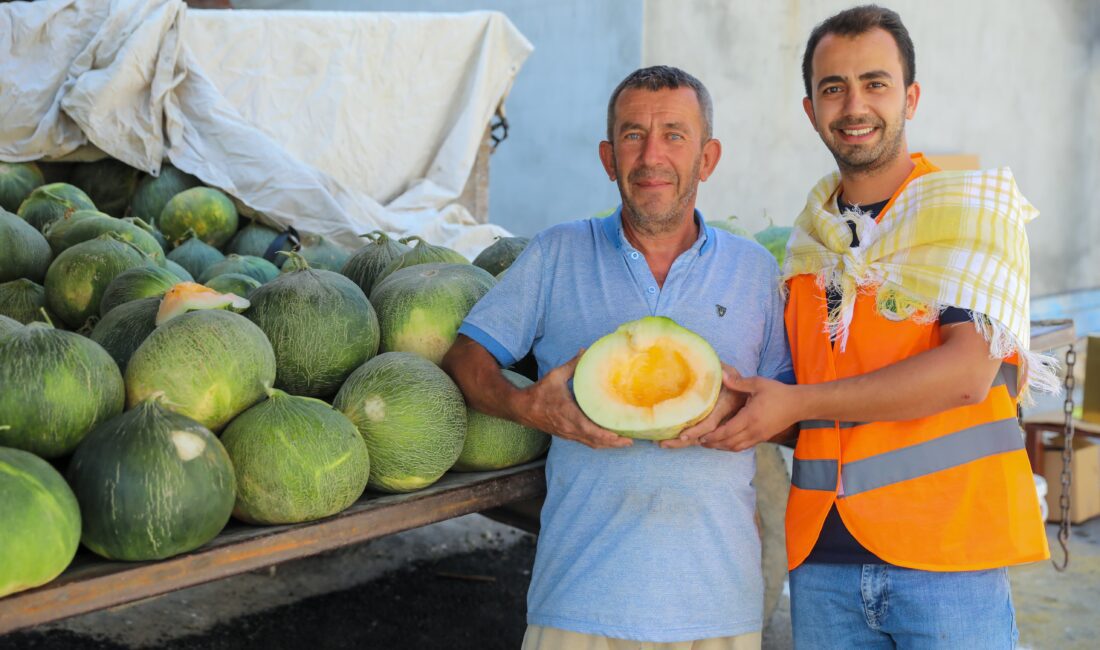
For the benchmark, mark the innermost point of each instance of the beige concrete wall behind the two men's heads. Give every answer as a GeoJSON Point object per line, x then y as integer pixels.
{"type": "Point", "coordinates": [1016, 82]}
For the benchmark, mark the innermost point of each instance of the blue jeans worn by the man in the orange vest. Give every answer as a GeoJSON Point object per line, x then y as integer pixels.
{"type": "Point", "coordinates": [885, 607]}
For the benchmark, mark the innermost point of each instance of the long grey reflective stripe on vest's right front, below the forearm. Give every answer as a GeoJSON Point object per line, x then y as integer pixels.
{"type": "Point", "coordinates": [934, 456]}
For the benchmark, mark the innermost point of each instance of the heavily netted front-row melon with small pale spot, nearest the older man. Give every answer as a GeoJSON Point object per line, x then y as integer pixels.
{"type": "Point", "coordinates": [412, 416]}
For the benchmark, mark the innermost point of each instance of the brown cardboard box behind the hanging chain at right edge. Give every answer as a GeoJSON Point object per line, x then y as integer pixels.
{"type": "Point", "coordinates": [1085, 484]}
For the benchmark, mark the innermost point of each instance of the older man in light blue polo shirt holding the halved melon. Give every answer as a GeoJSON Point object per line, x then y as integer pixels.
{"type": "Point", "coordinates": [640, 542]}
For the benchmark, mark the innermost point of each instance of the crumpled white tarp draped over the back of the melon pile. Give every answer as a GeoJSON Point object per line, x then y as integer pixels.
{"type": "Point", "coordinates": [335, 123]}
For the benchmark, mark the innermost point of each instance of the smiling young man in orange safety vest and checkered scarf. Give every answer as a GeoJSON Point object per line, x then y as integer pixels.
{"type": "Point", "coordinates": [908, 318]}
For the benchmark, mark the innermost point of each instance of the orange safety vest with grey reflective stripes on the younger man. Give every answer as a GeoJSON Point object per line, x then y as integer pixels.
{"type": "Point", "coordinates": [950, 492]}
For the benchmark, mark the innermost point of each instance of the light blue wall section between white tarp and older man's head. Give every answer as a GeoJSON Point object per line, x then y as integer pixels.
{"type": "Point", "coordinates": [548, 170]}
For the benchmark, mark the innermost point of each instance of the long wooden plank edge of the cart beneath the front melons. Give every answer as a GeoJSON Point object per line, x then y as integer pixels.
{"type": "Point", "coordinates": [91, 585]}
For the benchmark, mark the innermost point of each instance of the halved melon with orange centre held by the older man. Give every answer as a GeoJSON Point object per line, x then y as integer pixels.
{"type": "Point", "coordinates": [651, 380]}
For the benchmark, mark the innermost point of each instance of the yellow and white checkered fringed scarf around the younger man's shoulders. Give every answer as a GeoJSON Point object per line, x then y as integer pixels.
{"type": "Point", "coordinates": [951, 239]}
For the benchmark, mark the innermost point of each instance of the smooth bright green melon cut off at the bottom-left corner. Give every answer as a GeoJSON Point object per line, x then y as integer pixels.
{"type": "Point", "coordinates": [41, 522]}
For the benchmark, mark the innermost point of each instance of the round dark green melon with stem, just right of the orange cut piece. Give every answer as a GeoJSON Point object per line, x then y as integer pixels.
{"type": "Point", "coordinates": [320, 324]}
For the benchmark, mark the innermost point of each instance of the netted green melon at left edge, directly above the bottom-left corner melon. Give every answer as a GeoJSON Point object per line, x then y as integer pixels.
{"type": "Point", "coordinates": [54, 388]}
